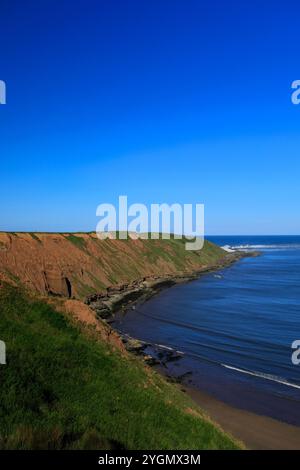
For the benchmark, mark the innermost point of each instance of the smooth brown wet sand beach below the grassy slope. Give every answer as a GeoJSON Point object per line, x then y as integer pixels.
{"type": "Point", "coordinates": [255, 431]}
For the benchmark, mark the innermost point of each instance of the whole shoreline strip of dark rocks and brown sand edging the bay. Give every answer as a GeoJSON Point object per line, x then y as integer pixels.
{"type": "Point", "coordinates": [243, 425]}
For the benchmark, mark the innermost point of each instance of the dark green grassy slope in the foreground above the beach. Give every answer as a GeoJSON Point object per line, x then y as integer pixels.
{"type": "Point", "coordinates": [62, 388]}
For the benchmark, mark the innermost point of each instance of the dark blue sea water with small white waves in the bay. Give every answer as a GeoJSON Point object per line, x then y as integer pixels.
{"type": "Point", "coordinates": [234, 327]}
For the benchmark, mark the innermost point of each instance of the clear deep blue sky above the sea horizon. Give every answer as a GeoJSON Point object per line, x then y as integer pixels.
{"type": "Point", "coordinates": [165, 101]}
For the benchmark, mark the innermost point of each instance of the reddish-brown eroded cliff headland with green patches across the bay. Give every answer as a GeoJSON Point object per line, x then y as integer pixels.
{"type": "Point", "coordinates": [76, 265]}
